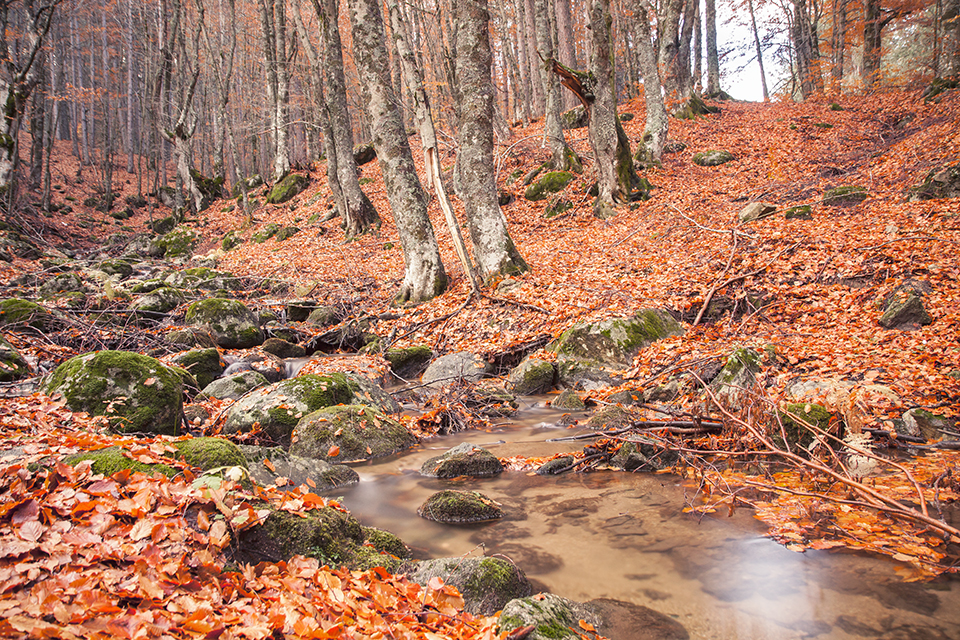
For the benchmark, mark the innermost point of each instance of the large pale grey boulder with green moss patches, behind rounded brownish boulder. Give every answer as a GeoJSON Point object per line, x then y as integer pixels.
{"type": "Point", "coordinates": [280, 406]}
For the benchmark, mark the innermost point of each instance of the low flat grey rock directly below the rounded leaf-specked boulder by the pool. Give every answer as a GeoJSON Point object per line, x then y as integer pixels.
{"type": "Point", "coordinates": [267, 464]}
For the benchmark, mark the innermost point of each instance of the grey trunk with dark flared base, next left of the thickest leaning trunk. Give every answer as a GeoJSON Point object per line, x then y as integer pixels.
{"type": "Point", "coordinates": [357, 212]}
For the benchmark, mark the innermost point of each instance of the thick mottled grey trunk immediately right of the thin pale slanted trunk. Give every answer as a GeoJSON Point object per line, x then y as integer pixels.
{"type": "Point", "coordinates": [494, 250]}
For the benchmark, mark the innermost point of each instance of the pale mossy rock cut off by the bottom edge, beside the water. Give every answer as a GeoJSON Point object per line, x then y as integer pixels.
{"type": "Point", "coordinates": [553, 617]}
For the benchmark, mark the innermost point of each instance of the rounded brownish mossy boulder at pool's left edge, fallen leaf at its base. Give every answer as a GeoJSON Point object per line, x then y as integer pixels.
{"type": "Point", "coordinates": [347, 433]}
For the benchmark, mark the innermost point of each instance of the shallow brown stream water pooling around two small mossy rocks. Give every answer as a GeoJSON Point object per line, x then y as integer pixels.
{"type": "Point", "coordinates": [619, 535]}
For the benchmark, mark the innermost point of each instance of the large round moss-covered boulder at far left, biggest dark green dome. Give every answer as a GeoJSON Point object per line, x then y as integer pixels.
{"type": "Point", "coordinates": [136, 393]}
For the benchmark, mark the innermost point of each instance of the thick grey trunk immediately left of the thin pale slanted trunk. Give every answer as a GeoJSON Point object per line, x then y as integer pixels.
{"type": "Point", "coordinates": [424, 277]}
